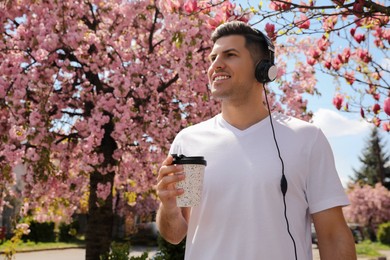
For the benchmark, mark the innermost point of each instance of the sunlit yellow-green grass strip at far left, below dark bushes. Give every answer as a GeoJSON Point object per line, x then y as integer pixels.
{"type": "Point", "coordinates": [32, 246]}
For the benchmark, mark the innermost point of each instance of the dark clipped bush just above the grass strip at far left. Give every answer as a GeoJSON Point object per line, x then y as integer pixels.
{"type": "Point", "coordinates": [40, 232]}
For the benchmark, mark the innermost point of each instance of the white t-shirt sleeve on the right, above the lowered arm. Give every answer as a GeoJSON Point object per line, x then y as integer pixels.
{"type": "Point", "coordinates": [324, 188]}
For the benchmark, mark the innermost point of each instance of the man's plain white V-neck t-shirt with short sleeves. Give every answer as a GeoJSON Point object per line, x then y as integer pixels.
{"type": "Point", "coordinates": [241, 215]}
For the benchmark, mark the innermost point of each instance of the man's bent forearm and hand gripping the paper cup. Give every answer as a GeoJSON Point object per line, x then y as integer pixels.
{"type": "Point", "coordinates": [171, 220]}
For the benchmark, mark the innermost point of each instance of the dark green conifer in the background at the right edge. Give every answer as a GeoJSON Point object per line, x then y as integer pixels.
{"type": "Point", "coordinates": [375, 163]}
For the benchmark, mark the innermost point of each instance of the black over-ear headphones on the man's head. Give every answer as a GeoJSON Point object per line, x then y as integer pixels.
{"type": "Point", "coordinates": [266, 70]}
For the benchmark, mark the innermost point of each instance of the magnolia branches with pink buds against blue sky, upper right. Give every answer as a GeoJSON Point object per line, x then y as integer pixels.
{"type": "Point", "coordinates": [349, 40]}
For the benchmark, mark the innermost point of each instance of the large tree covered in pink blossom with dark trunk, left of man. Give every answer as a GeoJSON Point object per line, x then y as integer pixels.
{"type": "Point", "coordinates": [91, 95]}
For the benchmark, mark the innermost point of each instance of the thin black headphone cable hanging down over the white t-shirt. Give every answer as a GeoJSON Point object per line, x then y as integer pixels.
{"type": "Point", "coordinates": [283, 181]}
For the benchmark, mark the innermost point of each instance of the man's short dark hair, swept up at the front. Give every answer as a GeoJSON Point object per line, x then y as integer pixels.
{"type": "Point", "coordinates": [255, 41]}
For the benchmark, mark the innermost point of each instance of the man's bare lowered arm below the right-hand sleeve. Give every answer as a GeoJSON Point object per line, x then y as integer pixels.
{"type": "Point", "coordinates": [335, 239]}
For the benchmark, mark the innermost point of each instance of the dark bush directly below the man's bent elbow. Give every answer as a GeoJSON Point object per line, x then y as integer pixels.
{"type": "Point", "coordinates": [167, 251]}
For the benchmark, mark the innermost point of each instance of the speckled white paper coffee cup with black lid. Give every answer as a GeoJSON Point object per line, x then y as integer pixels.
{"type": "Point", "coordinates": [192, 185]}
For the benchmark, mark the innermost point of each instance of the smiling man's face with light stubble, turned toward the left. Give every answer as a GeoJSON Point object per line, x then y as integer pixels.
{"type": "Point", "coordinates": [231, 73]}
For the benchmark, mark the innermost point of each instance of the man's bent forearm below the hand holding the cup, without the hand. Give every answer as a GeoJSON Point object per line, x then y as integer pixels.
{"type": "Point", "coordinates": [171, 224]}
